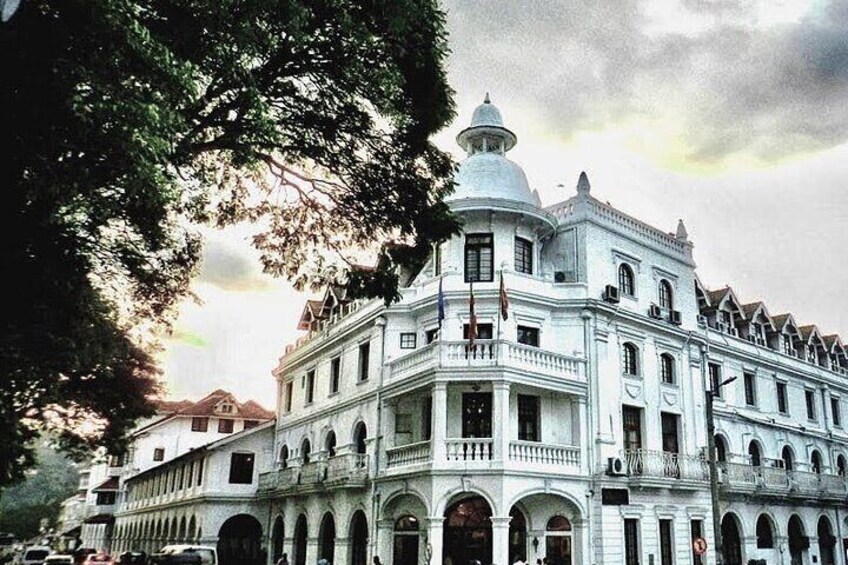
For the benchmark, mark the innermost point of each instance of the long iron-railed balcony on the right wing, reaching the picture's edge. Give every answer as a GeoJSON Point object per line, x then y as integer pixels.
{"type": "Point", "coordinates": [780, 483]}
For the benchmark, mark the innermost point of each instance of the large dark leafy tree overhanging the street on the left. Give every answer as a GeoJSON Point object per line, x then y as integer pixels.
{"type": "Point", "coordinates": [130, 121]}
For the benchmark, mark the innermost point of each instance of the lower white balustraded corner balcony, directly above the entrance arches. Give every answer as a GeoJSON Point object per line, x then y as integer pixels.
{"type": "Point", "coordinates": [463, 453]}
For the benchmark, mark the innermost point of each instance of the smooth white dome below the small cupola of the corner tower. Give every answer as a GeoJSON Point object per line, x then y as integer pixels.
{"type": "Point", "coordinates": [490, 175]}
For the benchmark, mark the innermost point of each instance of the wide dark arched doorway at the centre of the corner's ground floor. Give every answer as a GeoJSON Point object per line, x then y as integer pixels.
{"type": "Point", "coordinates": [468, 532]}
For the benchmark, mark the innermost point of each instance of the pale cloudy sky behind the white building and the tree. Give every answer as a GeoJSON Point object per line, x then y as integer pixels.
{"type": "Point", "coordinates": [729, 114]}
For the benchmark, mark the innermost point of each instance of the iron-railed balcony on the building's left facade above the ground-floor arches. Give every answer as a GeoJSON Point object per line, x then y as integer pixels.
{"type": "Point", "coordinates": [342, 471]}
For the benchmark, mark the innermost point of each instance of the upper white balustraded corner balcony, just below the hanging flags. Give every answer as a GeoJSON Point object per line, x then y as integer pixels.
{"type": "Point", "coordinates": [486, 353]}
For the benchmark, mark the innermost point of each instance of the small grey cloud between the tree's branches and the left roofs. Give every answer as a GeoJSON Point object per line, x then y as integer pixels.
{"type": "Point", "coordinates": [230, 269]}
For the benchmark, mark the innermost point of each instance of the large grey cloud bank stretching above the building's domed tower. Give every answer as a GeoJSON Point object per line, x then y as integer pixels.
{"type": "Point", "coordinates": [768, 91]}
